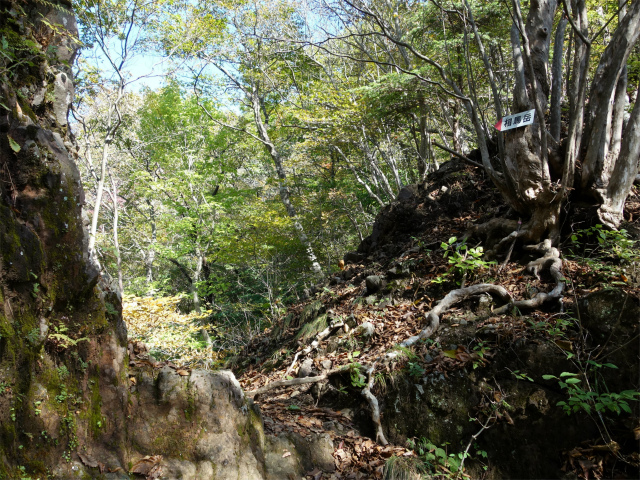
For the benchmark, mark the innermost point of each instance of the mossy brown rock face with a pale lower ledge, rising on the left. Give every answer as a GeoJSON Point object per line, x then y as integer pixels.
{"type": "Point", "coordinates": [70, 406]}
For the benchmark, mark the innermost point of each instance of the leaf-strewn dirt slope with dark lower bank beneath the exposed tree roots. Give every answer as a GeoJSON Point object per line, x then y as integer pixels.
{"type": "Point", "coordinates": [478, 365]}
